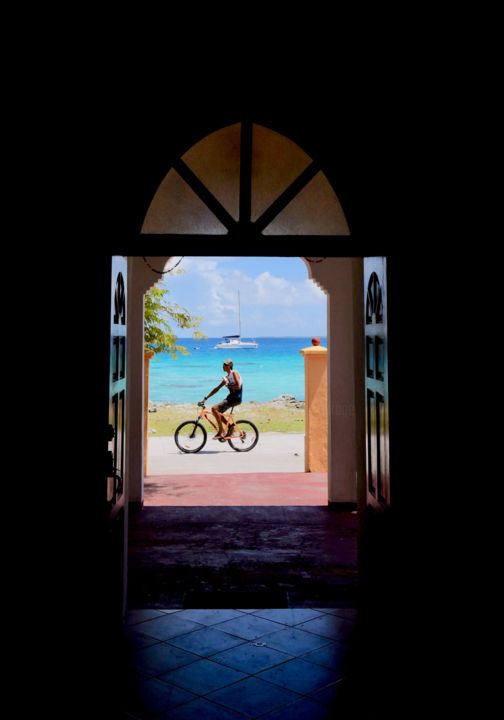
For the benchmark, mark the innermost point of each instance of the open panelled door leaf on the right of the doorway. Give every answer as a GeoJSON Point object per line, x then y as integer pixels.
{"type": "Point", "coordinates": [376, 368]}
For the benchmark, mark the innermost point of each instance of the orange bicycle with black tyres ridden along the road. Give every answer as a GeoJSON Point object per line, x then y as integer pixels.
{"type": "Point", "coordinates": [191, 435]}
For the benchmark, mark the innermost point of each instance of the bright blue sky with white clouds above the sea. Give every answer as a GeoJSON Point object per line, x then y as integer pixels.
{"type": "Point", "coordinates": [277, 297]}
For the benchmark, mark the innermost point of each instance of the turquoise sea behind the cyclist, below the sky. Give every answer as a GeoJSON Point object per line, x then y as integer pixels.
{"type": "Point", "coordinates": [275, 368]}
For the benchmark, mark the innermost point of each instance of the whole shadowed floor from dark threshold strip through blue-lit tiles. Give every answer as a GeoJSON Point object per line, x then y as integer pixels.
{"type": "Point", "coordinates": [294, 658]}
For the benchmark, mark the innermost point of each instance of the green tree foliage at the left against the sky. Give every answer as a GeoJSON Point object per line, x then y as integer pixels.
{"type": "Point", "coordinates": [160, 315]}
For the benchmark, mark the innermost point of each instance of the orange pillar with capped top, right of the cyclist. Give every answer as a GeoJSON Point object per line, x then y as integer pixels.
{"type": "Point", "coordinates": [315, 408]}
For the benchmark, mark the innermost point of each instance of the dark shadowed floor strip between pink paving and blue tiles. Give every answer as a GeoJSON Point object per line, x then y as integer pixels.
{"type": "Point", "coordinates": [182, 557]}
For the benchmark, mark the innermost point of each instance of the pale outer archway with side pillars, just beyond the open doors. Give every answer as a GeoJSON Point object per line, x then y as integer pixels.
{"type": "Point", "coordinates": [341, 278]}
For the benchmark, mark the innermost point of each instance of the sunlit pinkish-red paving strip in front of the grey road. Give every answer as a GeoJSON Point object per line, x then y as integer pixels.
{"type": "Point", "coordinates": [254, 489]}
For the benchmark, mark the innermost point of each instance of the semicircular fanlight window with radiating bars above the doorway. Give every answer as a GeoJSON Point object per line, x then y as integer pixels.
{"type": "Point", "coordinates": [245, 180]}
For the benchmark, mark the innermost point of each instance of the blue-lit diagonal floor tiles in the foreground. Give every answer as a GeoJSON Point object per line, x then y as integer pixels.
{"type": "Point", "coordinates": [277, 664]}
